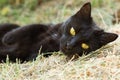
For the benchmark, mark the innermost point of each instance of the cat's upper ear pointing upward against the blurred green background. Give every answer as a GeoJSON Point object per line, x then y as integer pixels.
{"type": "Point", "coordinates": [85, 12]}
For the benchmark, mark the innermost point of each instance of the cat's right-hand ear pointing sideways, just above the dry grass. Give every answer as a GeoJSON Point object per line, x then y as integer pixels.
{"type": "Point", "coordinates": [107, 37]}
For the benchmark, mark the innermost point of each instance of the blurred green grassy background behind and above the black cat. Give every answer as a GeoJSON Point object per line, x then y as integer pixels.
{"type": "Point", "coordinates": [53, 11]}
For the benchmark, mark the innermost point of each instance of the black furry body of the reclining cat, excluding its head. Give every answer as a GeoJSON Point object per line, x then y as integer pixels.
{"type": "Point", "coordinates": [27, 41]}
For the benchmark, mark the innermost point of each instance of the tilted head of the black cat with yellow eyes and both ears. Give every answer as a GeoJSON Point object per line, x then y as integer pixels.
{"type": "Point", "coordinates": [81, 35]}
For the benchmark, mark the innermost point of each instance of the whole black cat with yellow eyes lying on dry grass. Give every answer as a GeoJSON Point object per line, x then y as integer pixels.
{"type": "Point", "coordinates": [78, 35]}
